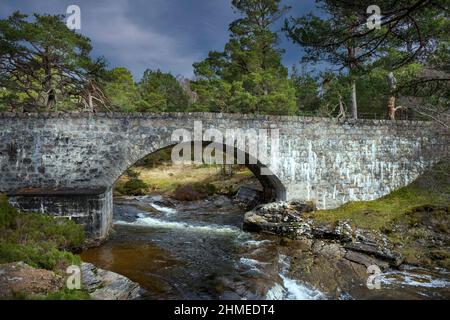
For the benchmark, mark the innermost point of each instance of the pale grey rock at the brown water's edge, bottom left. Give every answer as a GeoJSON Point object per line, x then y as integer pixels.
{"type": "Point", "coordinates": [106, 285]}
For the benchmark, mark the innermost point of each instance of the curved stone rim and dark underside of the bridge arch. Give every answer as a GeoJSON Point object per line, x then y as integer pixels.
{"type": "Point", "coordinates": [273, 188]}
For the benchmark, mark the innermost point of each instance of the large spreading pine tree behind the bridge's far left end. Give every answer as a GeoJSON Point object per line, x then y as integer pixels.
{"type": "Point", "coordinates": [44, 66]}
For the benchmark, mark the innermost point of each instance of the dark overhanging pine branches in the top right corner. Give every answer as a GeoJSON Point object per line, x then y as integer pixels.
{"type": "Point", "coordinates": [340, 28]}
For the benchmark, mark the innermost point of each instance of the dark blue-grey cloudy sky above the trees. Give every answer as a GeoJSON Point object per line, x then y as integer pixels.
{"type": "Point", "coordinates": [165, 34]}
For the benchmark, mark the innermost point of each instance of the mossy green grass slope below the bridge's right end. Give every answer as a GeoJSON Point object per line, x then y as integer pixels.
{"type": "Point", "coordinates": [415, 219]}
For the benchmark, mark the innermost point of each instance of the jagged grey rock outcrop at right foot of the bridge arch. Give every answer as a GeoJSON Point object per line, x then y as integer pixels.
{"type": "Point", "coordinates": [287, 219]}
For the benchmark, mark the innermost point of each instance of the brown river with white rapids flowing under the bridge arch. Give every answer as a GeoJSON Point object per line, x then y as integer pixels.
{"type": "Point", "coordinates": [197, 250]}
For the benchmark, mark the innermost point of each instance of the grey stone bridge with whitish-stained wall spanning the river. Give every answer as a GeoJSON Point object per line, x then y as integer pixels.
{"type": "Point", "coordinates": [66, 164]}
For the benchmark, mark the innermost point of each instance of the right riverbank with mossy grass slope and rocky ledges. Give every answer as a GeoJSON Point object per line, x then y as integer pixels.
{"type": "Point", "coordinates": [403, 231]}
